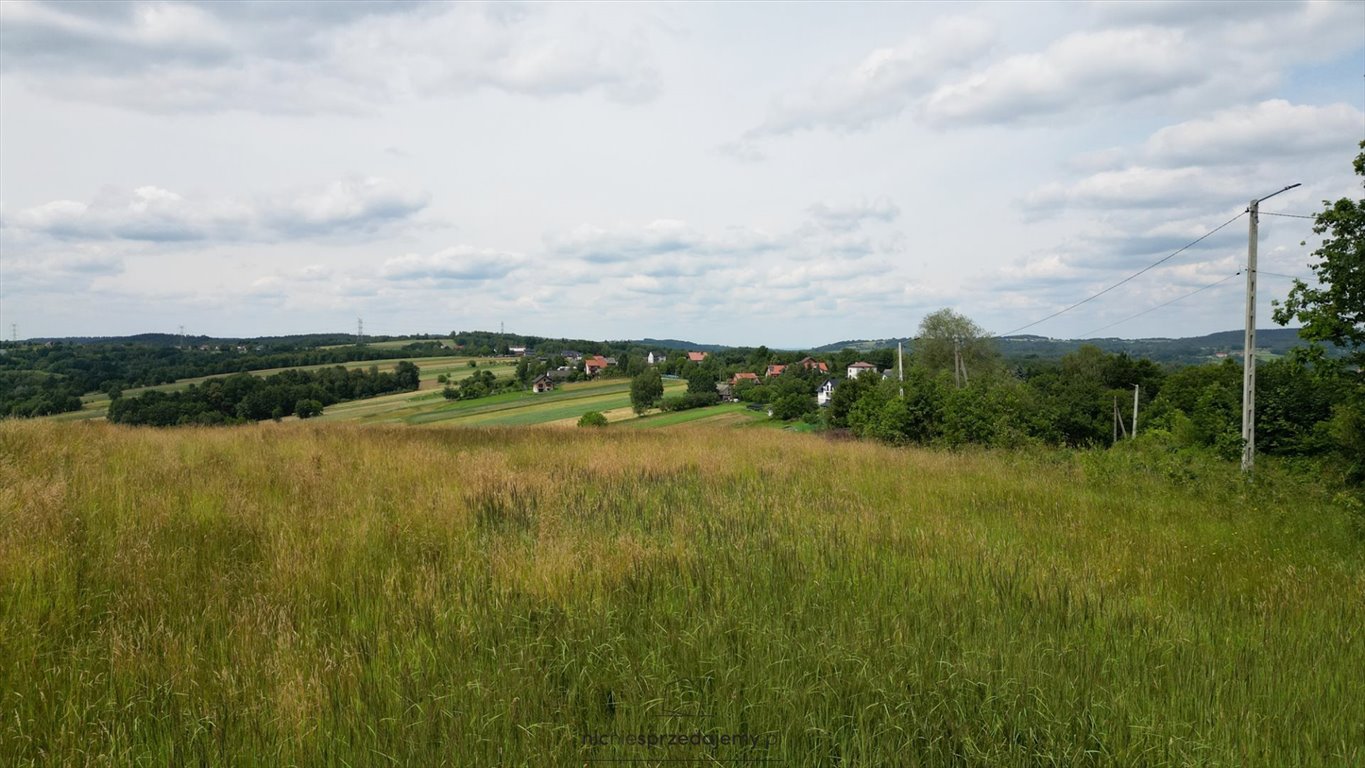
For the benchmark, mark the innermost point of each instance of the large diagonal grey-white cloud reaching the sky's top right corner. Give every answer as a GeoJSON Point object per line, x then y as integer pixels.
{"type": "Point", "coordinates": [1142, 54]}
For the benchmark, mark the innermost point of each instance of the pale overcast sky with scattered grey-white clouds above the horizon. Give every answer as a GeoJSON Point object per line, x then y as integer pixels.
{"type": "Point", "coordinates": [738, 174]}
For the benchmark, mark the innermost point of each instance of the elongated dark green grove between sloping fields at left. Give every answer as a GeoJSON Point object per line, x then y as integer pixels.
{"type": "Point", "coordinates": [244, 398]}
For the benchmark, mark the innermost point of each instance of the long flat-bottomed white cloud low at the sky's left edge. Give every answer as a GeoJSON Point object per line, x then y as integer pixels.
{"type": "Point", "coordinates": [162, 216]}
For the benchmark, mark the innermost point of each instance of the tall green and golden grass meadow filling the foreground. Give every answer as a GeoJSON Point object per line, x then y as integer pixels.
{"type": "Point", "coordinates": [377, 595]}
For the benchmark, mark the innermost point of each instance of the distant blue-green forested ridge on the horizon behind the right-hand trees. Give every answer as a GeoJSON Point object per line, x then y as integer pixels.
{"type": "Point", "coordinates": [1191, 350]}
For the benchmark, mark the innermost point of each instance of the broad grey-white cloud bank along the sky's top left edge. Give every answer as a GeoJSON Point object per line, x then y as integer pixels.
{"type": "Point", "coordinates": [308, 58]}
